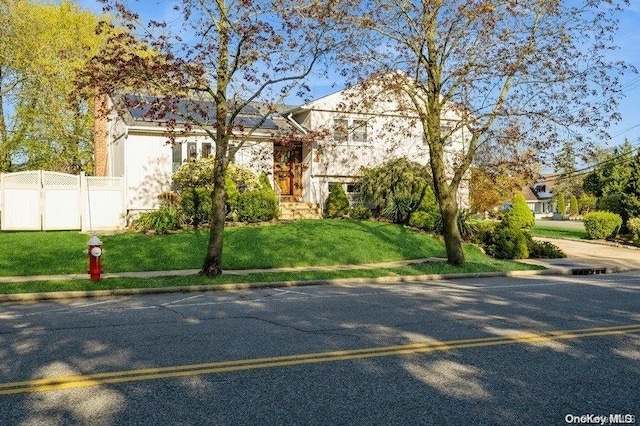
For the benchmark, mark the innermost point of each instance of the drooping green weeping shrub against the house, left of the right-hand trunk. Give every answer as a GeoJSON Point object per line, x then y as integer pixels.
{"type": "Point", "coordinates": [396, 188]}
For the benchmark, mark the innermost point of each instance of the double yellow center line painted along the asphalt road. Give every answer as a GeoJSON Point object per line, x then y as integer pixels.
{"type": "Point", "coordinates": [97, 379]}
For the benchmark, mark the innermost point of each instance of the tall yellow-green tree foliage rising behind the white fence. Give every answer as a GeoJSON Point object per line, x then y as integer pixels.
{"type": "Point", "coordinates": [42, 46]}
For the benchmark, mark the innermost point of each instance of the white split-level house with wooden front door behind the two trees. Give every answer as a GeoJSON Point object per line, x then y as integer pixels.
{"type": "Point", "coordinates": [136, 147]}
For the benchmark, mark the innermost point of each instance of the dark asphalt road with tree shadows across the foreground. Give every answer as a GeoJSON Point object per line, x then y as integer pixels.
{"type": "Point", "coordinates": [538, 350]}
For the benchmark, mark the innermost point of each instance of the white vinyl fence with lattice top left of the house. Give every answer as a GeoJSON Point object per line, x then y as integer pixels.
{"type": "Point", "coordinates": [40, 200]}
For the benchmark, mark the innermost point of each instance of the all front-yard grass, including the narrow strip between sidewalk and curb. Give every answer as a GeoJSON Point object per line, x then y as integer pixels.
{"type": "Point", "coordinates": [299, 243]}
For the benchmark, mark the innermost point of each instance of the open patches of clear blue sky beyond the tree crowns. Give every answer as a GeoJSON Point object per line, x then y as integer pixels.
{"type": "Point", "coordinates": [628, 40]}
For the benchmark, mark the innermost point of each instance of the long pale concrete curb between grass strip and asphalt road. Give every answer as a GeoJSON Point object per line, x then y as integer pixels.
{"type": "Point", "coordinates": [29, 297]}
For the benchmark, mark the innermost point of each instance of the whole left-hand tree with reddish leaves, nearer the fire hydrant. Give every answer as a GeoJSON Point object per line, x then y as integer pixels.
{"type": "Point", "coordinates": [229, 55]}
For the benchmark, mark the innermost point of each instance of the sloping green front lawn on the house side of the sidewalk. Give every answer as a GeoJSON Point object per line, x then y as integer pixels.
{"type": "Point", "coordinates": [298, 243]}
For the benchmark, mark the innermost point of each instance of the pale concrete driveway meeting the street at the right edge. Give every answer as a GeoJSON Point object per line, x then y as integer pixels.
{"type": "Point", "coordinates": [582, 254]}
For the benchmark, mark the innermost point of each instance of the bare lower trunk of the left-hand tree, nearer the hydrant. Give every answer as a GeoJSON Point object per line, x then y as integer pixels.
{"type": "Point", "coordinates": [213, 260]}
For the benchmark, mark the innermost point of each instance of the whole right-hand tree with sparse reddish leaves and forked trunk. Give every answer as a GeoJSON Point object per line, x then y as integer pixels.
{"type": "Point", "coordinates": [537, 66]}
